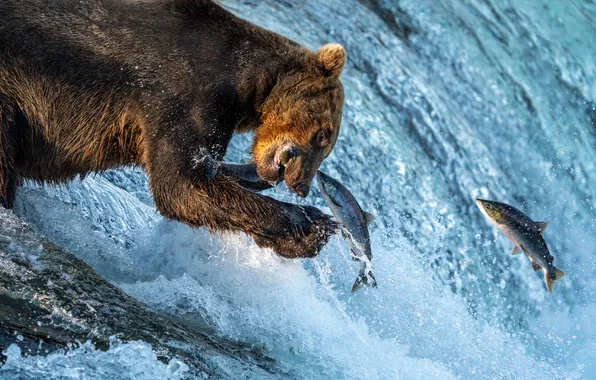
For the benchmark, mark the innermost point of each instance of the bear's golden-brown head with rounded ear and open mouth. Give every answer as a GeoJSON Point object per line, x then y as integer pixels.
{"type": "Point", "coordinates": [300, 120]}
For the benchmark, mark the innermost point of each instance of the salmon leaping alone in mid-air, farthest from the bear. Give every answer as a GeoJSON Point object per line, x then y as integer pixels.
{"type": "Point", "coordinates": [526, 236]}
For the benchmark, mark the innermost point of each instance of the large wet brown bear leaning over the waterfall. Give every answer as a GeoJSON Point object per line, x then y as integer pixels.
{"type": "Point", "coordinates": [86, 86]}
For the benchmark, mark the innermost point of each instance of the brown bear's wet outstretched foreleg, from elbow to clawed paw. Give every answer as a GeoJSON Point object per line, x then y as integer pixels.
{"type": "Point", "coordinates": [222, 205]}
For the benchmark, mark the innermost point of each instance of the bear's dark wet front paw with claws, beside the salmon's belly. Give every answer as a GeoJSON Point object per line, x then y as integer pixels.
{"type": "Point", "coordinates": [303, 236]}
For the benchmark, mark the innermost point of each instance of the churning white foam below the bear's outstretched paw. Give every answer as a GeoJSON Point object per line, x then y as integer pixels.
{"type": "Point", "coordinates": [410, 327]}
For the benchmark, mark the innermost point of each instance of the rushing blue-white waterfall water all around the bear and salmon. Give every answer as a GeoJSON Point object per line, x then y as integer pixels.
{"type": "Point", "coordinates": [446, 101]}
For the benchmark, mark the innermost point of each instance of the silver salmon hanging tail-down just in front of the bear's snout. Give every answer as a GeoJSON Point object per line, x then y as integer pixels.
{"type": "Point", "coordinates": [354, 223]}
